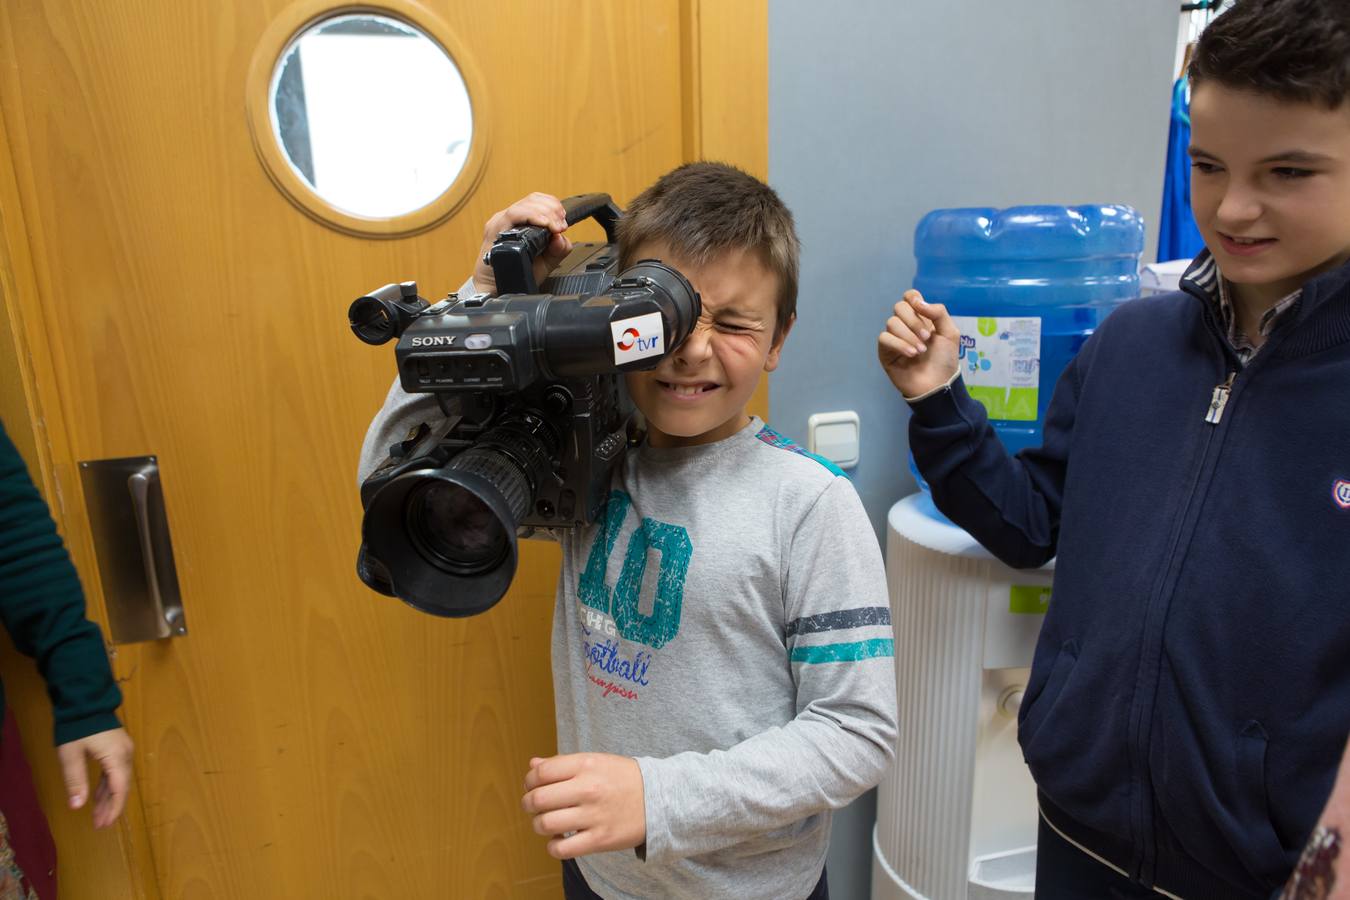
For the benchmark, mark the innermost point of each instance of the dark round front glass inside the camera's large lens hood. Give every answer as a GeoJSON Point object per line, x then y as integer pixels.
{"type": "Point", "coordinates": [456, 530]}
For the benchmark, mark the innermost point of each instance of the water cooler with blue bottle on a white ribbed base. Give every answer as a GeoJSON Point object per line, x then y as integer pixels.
{"type": "Point", "coordinates": [956, 817]}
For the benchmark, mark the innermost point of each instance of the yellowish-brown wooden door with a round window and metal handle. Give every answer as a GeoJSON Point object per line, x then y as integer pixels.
{"type": "Point", "coordinates": [307, 739]}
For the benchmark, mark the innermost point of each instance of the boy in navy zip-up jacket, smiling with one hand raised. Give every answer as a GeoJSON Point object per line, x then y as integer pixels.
{"type": "Point", "coordinates": [1190, 696]}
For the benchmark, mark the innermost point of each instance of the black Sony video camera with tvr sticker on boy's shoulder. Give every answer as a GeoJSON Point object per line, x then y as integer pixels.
{"type": "Point", "coordinates": [535, 412]}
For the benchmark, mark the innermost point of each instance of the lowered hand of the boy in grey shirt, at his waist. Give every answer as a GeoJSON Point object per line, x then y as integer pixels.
{"type": "Point", "coordinates": [587, 804]}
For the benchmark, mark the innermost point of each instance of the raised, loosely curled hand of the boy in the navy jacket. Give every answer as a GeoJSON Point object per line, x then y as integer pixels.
{"type": "Point", "coordinates": [919, 350]}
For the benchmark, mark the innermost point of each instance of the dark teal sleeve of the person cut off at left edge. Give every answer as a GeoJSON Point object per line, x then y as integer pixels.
{"type": "Point", "coordinates": [43, 608]}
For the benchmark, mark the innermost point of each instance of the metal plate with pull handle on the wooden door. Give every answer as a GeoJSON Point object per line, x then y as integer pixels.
{"type": "Point", "coordinates": [130, 528]}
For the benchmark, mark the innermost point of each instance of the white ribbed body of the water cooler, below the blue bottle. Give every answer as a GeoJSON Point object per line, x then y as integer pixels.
{"type": "Point", "coordinates": [956, 817]}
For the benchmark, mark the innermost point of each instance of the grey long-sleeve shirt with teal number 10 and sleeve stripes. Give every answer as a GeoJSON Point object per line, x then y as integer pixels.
{"type": "Point", "coordinates": [728, 627]}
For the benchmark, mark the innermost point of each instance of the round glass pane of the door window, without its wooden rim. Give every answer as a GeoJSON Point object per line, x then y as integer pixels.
{"type": "Point", "coordinates": [372, 114]}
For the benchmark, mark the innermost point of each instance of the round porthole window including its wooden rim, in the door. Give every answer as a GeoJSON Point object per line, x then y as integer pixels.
{"type": "Point", "coordinates": [368, 118]}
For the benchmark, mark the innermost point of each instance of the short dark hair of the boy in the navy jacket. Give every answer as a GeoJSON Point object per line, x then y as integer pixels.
{"type": "Point", "coordinates": [1289, 49]}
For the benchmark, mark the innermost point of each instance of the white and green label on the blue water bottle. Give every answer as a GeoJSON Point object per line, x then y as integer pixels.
{"type": "Point", "coordinates": [1001, 364]}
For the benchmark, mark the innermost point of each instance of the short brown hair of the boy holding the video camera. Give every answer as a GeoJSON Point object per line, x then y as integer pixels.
{"type": "Point", "coordinates": [704, 210]}
